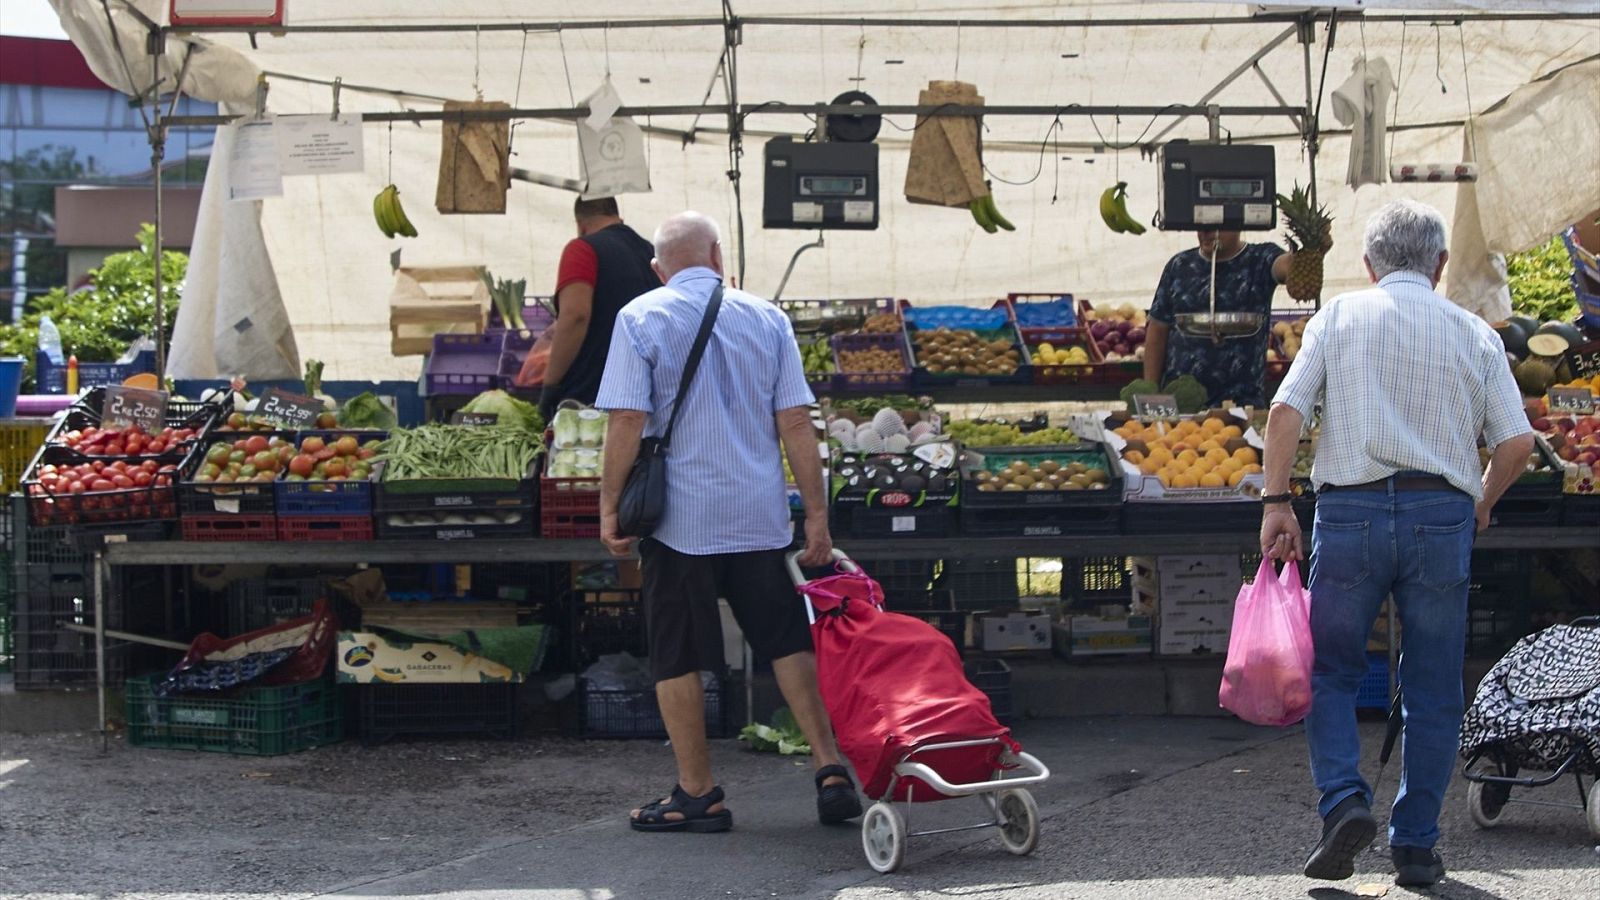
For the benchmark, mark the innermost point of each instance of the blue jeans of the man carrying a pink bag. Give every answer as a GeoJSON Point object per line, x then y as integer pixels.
{"type": "Point", "coordinates": [1418, 548]}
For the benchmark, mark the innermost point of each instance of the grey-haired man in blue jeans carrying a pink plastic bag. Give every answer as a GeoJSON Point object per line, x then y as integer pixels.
{"type": "Point", "coordinates": [1409, 384]}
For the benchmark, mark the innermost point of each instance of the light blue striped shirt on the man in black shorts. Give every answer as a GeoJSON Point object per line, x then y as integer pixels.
{"type": "Point", "coordinates": [726, 475]}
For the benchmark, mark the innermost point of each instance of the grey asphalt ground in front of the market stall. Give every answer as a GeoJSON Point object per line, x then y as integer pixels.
{"type": "Point", "coordinates": [1138, 808]}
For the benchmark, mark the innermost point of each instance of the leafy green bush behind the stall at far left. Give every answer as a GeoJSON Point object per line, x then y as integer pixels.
{"type": "Point", "coordinates": [98, 323]}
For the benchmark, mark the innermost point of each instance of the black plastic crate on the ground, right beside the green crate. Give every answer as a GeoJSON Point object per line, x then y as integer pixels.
{"type": "Point", "coordinates": [394, 710]}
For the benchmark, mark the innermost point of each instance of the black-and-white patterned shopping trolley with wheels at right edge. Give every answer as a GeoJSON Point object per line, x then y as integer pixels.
{"type": "Point", "coordinates": [1538, 710]}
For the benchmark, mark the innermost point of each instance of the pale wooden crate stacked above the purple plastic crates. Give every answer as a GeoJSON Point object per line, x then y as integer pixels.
{"type": "Point", "coordinates": [431, 300]}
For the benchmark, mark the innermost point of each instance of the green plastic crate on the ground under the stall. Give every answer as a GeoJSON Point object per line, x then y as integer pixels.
{"type": "Point", "coordinates": [254, 721]}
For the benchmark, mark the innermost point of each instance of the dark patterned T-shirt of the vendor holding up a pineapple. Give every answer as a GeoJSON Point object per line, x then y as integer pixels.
{"type": "Point", "coordinates": [1236, 369]}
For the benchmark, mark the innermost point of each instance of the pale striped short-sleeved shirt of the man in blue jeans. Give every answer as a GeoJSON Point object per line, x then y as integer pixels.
{"type": "Point", "coordinates": [1407, 382]}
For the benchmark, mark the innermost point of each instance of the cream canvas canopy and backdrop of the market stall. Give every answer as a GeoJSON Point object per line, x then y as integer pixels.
{"type": "Point", "coordinates": [334, 267]}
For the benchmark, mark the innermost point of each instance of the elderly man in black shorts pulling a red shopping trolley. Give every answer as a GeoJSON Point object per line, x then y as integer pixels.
{"type": "Point", "coordinates": [727, 510]}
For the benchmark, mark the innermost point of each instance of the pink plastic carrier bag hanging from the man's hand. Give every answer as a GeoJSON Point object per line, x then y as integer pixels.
{"type": "Point", "coordinates": [1266, 680]}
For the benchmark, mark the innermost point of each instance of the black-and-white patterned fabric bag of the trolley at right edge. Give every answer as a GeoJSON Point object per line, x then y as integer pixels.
{"type": "Point", "coordinates": [1540, 702]}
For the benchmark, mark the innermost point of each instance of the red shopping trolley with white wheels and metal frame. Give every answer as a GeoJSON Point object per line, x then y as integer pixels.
{"type": "Point", "coordinates": [908, 718]}
